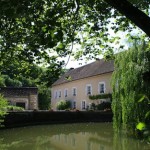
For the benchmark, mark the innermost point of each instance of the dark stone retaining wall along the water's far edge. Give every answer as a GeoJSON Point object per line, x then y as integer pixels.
{"type": "Point", "coordinates": [26, 118]}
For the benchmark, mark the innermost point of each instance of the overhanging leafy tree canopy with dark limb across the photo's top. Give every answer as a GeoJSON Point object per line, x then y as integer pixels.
{"type": "Point", "coordinates": [33, 29]}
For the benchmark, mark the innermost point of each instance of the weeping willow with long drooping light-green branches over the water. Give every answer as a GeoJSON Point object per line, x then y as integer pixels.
{"type": "Point", "coordinates": [131, 88]}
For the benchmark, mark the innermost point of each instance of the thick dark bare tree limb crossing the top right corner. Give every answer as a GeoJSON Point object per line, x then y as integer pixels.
{"type": "Point", "coordinates": [138, 17]}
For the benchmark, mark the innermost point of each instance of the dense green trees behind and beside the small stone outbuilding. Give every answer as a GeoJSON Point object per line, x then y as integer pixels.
{"type": "Point", "coordinates": [24, 74]}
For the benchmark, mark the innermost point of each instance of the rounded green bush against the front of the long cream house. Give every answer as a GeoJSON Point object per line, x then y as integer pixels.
{"type": "Point", "coordinates": [63, 105]}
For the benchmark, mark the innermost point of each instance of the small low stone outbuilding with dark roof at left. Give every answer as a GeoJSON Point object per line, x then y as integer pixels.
{"type": "Point", "coordinates": [26, 97]}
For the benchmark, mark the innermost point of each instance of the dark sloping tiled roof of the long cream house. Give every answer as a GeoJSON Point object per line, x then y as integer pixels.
{"type": "Point", "coordinates": [96, 68]}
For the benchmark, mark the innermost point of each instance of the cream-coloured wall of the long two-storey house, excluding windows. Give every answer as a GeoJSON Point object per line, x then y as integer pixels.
{"type": "Point", "coordinates": [80, 86]}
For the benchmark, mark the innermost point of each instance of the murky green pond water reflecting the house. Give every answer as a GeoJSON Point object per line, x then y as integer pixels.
{"type": "Point", "coordinates": [82, 136]}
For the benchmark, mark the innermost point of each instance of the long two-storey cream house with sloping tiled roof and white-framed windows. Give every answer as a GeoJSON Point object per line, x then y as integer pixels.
{"type": "Point", "coordinates": [78, 84]}
